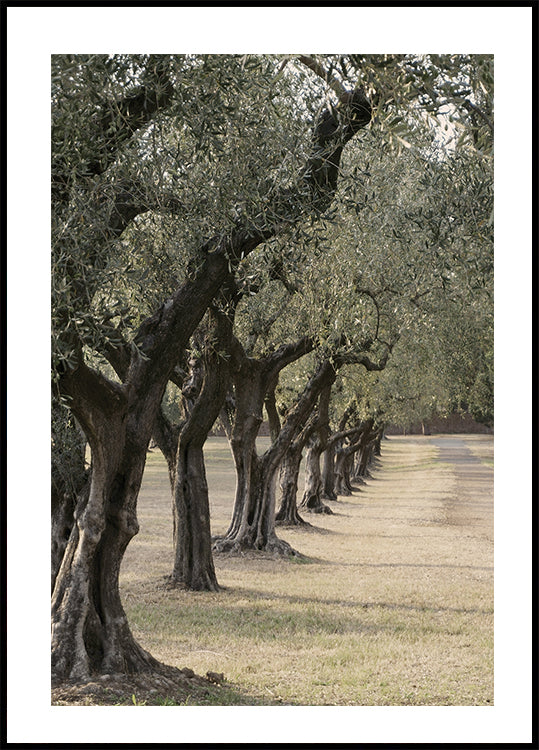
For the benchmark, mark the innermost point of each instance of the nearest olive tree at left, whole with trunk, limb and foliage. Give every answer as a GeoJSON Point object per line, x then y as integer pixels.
{"type": "Point", "coordinates": [135, 136]}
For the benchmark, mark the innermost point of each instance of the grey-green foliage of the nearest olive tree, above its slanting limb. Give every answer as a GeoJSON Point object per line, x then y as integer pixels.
{"type": "Point", "coordinates": [151, 157]}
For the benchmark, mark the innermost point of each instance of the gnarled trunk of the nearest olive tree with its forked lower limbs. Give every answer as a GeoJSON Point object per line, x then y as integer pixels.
{"type": "Point", "coordinates": [90, 632]}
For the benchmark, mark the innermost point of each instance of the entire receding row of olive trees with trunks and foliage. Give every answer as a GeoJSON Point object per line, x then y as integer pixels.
{"type": "Point", "coordinates": [307, 236]}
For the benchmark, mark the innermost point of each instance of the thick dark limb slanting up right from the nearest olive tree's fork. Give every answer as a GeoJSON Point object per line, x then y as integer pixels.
{"type": "Point", "coordinates": [162, 336]}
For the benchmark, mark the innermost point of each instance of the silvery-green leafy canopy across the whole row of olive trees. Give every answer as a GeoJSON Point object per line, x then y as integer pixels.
{"type": "Point", "coordinates": [152, 155]}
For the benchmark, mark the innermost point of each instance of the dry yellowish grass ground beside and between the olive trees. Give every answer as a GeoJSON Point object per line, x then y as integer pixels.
{"type": "Point", "coordinates": [393, 604]}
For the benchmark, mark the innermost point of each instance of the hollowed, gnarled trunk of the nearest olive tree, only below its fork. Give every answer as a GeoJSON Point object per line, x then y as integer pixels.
{"type": "Point", "coordinates": [90, 633]}
